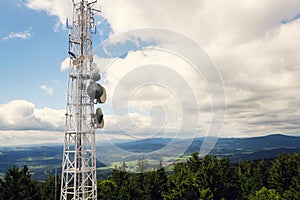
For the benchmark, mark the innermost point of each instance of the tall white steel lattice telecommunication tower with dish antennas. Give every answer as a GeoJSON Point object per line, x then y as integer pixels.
{"type": "Point", "coordinates": [79, 153]}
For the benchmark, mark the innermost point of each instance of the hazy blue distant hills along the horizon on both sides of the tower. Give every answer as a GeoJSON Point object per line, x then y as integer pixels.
{"type": "Point", "coordinates": [44, 159]}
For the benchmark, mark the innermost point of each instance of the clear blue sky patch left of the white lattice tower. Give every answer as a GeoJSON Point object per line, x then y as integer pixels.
{"type": "Point", "coordinates": [29, 63]}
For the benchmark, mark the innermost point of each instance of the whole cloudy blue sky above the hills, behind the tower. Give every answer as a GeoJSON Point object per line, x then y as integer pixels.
{"type": "Point", "coordinates": [249, 84]}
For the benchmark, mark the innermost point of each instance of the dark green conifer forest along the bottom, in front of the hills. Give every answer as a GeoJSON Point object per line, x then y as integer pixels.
{"type": "Point", "coordinates": [208, 178]}
